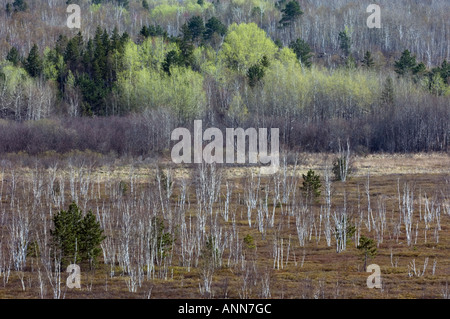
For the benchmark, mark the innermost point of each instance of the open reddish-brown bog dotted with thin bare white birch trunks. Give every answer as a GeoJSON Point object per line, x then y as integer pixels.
{"type": "Point", "coordinates": [211, 231]}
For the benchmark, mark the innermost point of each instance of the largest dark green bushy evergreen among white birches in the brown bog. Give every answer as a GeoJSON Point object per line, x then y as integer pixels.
{"type": "Point", "coordinates": [76, 238]}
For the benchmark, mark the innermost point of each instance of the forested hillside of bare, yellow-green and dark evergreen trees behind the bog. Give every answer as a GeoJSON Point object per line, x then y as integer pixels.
{"type": "Point", "coordinates": [137, 69]}
